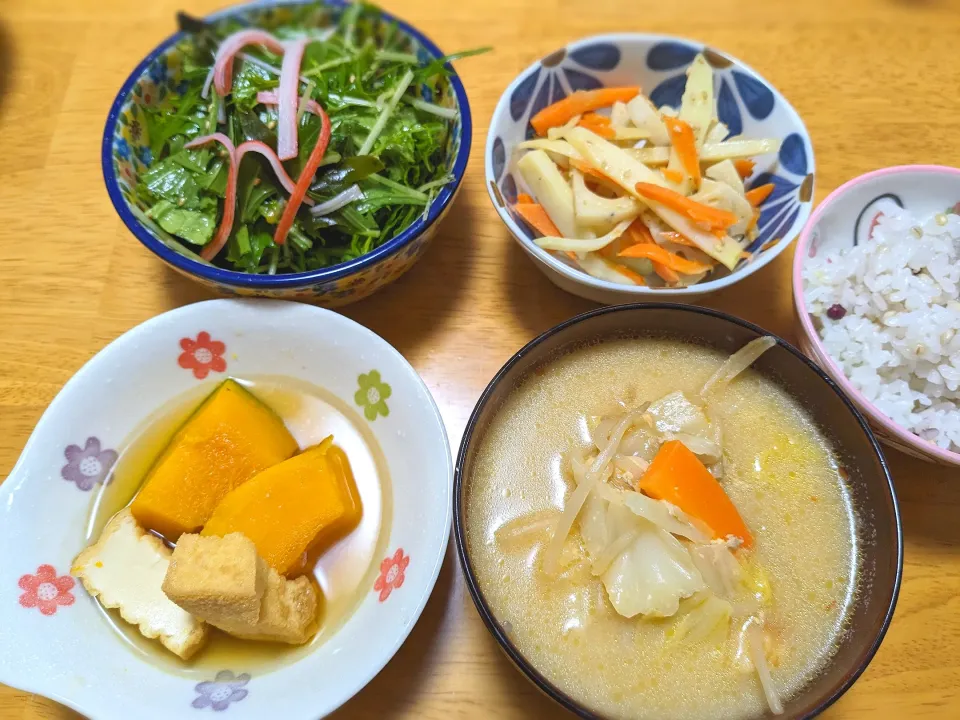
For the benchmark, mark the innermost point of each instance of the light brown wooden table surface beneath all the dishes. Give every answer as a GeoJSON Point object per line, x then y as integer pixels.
{"type": "Point", "coordinates": [875, 81]}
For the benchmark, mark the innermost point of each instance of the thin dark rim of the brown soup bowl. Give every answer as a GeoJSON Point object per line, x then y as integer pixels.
{"type": "Point", "coordinates": [486, 613]}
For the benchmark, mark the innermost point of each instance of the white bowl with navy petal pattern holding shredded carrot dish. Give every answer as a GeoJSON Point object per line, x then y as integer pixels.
{"type": "Point", "coordinates": [746, 103]}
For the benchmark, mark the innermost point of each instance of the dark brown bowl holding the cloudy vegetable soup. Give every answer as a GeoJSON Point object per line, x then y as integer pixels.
{"type": "Point", "coordinates": [869, 484]}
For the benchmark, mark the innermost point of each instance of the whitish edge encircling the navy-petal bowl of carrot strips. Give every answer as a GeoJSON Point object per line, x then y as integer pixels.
{"type": "Point", "coordinates": [548, 259]}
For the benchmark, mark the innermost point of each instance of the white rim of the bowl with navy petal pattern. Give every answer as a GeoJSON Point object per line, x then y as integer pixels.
{"type": "Point", "coordinates": [581, 277]}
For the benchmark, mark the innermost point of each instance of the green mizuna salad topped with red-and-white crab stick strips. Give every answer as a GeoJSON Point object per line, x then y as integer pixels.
{"type": "Point", "coordinates": [297, 145]}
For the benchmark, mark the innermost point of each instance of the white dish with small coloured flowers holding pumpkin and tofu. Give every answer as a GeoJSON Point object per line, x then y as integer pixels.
{"type": "Point", "coordinates": [55, 640]}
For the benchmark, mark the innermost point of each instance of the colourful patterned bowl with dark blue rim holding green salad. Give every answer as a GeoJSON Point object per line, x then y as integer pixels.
{"type": "Point", "coordinates": [126, 153]}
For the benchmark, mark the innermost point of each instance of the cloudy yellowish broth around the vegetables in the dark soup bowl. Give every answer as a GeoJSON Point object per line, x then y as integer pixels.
{"type": "Point", "coordinates": [780, 472]}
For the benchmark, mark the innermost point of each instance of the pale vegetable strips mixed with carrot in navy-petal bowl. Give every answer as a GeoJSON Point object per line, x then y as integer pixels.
{"type": "Point", "coordinates": [637, 195]}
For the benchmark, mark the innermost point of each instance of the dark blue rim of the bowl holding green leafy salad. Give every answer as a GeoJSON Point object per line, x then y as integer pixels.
{"type": "Point", "coordinates": [249, 280]}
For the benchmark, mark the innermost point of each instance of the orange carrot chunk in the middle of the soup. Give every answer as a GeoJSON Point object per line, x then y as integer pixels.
{"type": "Point", "coordinates": [677, 476]}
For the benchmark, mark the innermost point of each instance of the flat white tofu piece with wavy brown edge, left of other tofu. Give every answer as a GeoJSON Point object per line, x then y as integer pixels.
{"type": "Point", "coordinates": [125, 569]}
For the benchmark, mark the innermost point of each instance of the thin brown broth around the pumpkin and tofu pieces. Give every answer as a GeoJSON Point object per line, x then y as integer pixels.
{"type": "Point", "coordinates": [344, 573]}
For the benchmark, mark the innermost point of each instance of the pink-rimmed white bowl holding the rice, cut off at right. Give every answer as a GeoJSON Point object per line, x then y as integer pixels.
{"type": "Point", "coordinates": [844, 220]}
